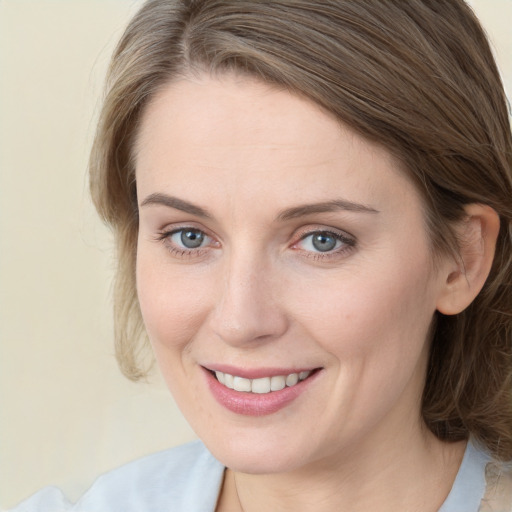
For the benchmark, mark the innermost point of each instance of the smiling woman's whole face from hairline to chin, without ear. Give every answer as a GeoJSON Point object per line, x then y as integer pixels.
{"type": "Point", "coordinates": [276, 245]}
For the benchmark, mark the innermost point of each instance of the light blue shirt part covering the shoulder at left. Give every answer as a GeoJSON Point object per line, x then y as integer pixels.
{"type": "Point", "coordinates": [186, 478]}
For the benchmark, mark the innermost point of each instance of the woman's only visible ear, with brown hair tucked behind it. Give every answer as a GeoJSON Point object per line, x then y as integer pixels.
{"type": "Point", "coordinates": [465, 277]}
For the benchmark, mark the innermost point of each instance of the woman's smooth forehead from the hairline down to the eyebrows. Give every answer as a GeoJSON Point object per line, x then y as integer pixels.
{"type": "Point", "coordinates": [232, 135]}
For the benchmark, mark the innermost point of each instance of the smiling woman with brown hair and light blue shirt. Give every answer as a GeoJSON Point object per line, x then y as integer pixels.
{"type": "Point", "coordinates": [313, 208]}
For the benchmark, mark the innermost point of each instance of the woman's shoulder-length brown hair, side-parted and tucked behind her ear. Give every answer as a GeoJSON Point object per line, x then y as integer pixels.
{"type": "Point", "coordinates": [418, 77]}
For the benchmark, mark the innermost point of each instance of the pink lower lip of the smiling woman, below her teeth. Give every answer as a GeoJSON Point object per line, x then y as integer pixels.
{"type": "Point", "coordinates": [254, 404]}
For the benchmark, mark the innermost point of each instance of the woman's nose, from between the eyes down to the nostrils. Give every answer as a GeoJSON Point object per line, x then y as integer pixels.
{"type": "Point", "coordinates": [248, 308]}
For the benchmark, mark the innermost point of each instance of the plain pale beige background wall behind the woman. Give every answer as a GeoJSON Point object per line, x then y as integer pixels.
{"type": "Point", "coordinates": [66, 414]}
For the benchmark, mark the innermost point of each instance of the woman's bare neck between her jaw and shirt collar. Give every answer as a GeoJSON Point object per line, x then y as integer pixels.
{"type": "Point", "coordinates": [394, 474]}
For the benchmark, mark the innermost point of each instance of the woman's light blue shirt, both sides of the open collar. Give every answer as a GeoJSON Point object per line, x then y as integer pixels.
{"type": "Point", "coordinates": [188, 479]}
